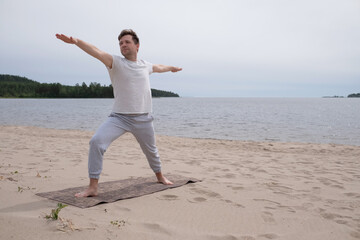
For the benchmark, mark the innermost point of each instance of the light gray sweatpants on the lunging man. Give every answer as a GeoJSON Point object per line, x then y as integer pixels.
{"type": "Point", "coordinates": [141, 126]}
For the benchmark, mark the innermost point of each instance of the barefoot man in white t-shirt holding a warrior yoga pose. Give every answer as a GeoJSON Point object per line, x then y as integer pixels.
{"type": "Point", "coordinates": [132, 105]}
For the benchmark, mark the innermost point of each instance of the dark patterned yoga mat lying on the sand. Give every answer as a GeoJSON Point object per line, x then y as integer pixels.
{"type": "Point", "coordinates": [116, 190]}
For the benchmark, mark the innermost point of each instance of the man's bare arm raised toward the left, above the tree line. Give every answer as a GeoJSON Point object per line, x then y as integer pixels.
{"type": "Point", "coordinates": [88, 48]}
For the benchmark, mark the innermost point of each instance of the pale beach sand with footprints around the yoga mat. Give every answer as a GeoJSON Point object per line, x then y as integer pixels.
{"type": "Point", "coordinates": [249, 190]}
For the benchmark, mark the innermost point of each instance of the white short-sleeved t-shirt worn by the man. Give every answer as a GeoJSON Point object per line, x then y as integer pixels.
{"type": "Point", "coordinates": [131, 84]}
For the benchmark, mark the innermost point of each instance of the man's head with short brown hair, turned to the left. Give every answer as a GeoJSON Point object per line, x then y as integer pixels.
{"type": "Point", "coordinates": [129, 44]}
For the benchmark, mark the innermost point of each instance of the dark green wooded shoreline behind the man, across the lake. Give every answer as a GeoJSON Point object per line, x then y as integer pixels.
{"type": "Point", "coordinates": [21, 87]}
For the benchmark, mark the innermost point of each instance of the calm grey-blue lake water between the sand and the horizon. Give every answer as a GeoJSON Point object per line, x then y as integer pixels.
{"type": "Point", "coordinates": [316, 120]}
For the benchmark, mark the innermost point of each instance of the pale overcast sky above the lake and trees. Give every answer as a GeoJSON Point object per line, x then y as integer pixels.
{"type": "Point", "coordinates": [227, 48]}
